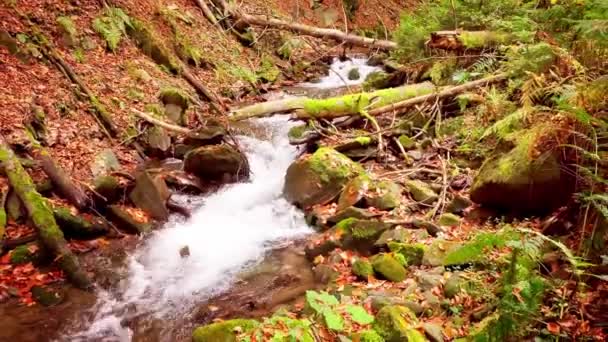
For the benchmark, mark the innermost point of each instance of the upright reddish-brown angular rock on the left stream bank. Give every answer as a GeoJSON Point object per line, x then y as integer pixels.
{"type": "Point", "coordinates": [151, 194]}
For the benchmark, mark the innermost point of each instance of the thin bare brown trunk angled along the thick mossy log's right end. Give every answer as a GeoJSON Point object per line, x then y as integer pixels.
{"type": "Point", "coordinates": [447, 92]}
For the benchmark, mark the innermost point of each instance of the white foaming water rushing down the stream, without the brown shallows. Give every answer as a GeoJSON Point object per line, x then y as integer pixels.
{"type": "Point", "coordinates": [229, 232]}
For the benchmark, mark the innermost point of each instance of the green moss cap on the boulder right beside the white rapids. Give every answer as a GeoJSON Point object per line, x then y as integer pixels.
{"type": "Point", "coordinates": [331, 165]}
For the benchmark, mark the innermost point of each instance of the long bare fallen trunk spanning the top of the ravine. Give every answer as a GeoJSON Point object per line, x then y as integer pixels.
{"type": "Point", "coordinates": [309, 30]}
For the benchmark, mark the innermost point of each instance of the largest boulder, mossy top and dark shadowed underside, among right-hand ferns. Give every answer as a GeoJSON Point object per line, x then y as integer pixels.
{"type": "Point", "coordinates": [527, 178]}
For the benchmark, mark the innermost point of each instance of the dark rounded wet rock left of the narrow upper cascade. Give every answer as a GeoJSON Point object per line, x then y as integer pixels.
{"type": "Point", "coordinates": [214, 162]}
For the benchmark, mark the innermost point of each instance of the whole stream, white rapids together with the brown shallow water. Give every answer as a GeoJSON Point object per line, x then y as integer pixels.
{"type": "Point", "coordinates": [240, 239]}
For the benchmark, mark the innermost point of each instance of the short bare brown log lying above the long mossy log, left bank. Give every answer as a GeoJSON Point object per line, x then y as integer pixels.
{"type": "Point", "coordinates": [61, 181]}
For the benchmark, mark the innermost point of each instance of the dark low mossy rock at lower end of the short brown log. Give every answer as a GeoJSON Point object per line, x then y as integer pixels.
{"type": "Point", "coordinates": [79, 226]}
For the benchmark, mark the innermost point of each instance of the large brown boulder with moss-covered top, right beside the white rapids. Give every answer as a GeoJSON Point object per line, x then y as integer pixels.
{"type": "Point", "coordinates": [319, 178]}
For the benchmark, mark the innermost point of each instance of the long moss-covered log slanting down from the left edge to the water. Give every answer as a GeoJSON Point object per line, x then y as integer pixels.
{"type": "Point", "coordinates": [42, 217]}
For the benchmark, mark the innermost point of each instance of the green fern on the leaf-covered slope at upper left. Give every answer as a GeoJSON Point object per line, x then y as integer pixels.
{"type": "Point", "coordinates": [112, 26]}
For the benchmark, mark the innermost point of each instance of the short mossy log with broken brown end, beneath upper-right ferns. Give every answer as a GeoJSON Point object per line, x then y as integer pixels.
{"type": "Point", "coordinates": [460, 40]}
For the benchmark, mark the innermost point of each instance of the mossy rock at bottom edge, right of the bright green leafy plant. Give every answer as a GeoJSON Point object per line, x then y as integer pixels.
{"type": "Point", "coordinates": [395, 323]}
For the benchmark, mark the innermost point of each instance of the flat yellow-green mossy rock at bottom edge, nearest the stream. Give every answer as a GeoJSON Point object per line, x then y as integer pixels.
{"type": "Point", "coordinates": [226, 331]}
